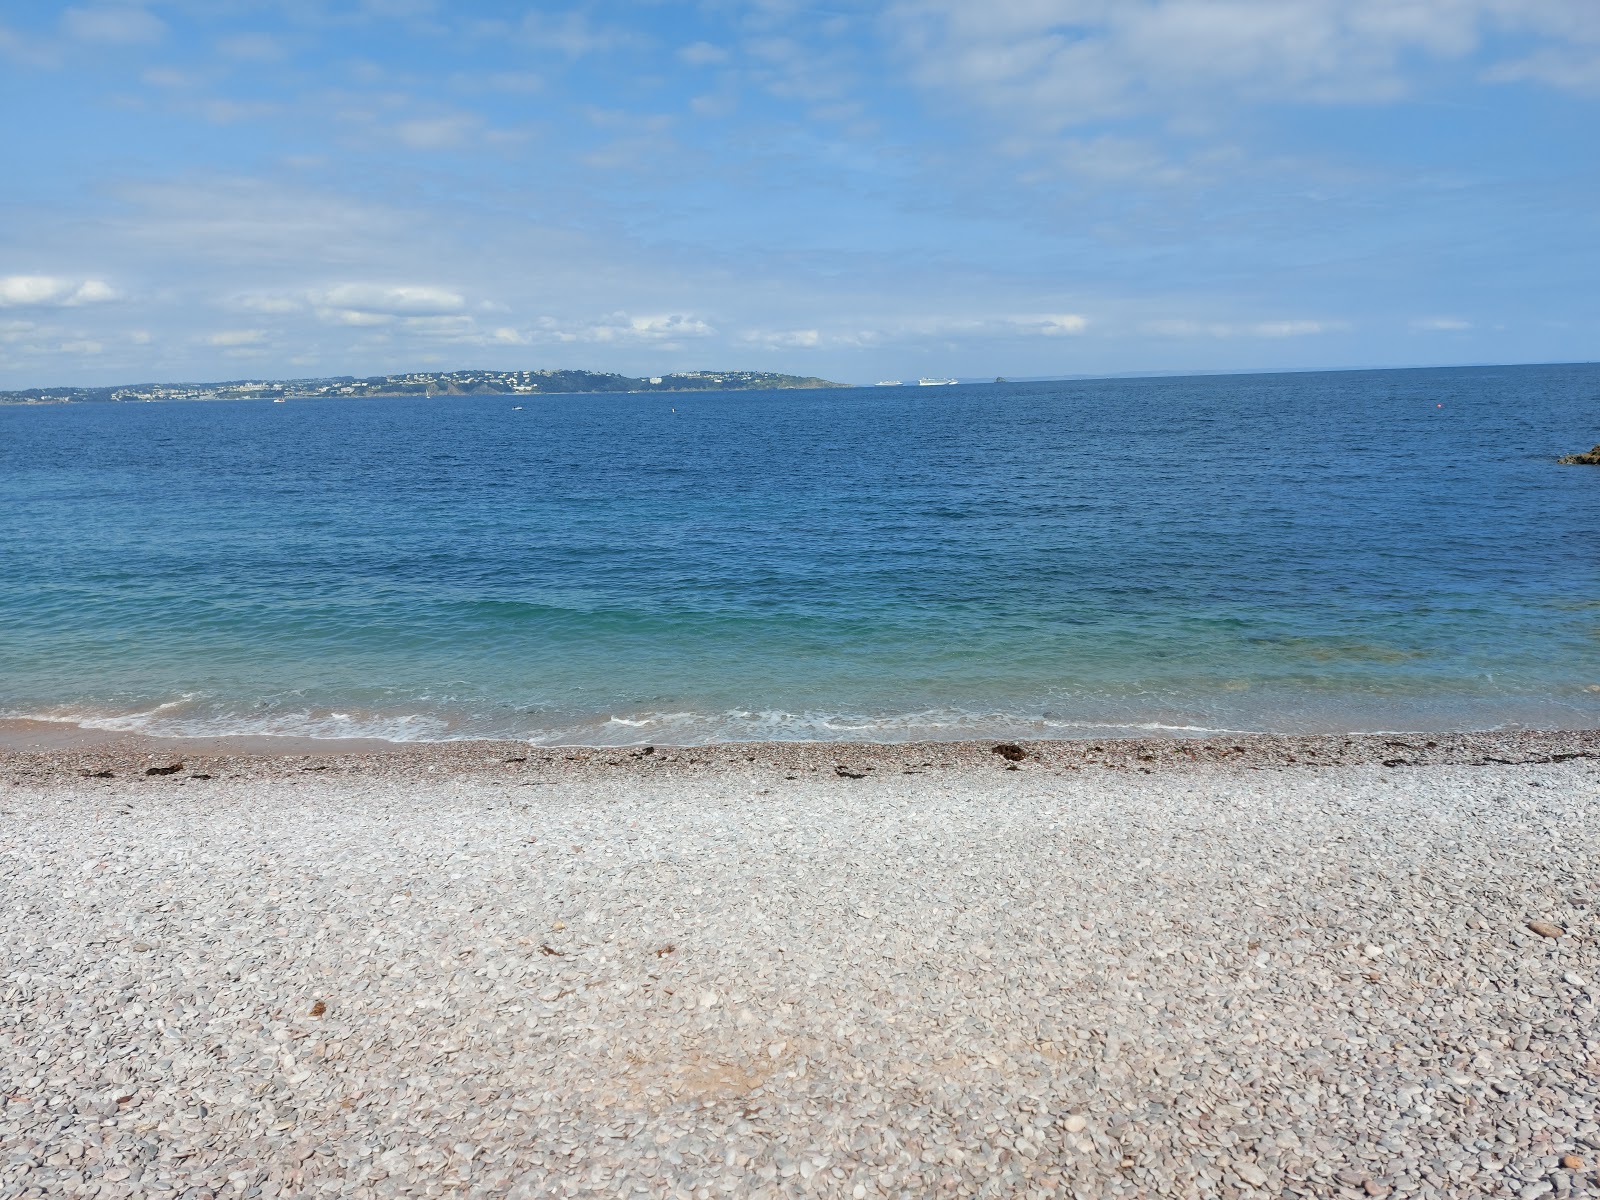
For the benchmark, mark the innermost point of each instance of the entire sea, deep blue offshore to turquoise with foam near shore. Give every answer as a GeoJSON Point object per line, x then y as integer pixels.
{"type": "Point", "coordinates": [1295, 553]}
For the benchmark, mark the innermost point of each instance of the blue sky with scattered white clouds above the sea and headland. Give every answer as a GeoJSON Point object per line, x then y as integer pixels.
{"type": "Point", "coordinates": [225, 190]}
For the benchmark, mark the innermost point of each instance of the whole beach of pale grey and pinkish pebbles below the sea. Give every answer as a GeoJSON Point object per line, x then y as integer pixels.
{"type": "Point", "coordinates": [1262, 967]}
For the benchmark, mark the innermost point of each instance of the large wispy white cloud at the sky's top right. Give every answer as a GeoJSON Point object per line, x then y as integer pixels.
{"type": "Point", "coordinates": [1049, 65]}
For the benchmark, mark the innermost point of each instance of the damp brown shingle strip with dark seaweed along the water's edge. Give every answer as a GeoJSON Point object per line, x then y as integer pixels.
{"type": "Point", "coordinates": [41, 751]}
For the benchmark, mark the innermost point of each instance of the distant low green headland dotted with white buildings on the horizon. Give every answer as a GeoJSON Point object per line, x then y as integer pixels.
{"type": "Point", "coordinates": [420, 383]}
